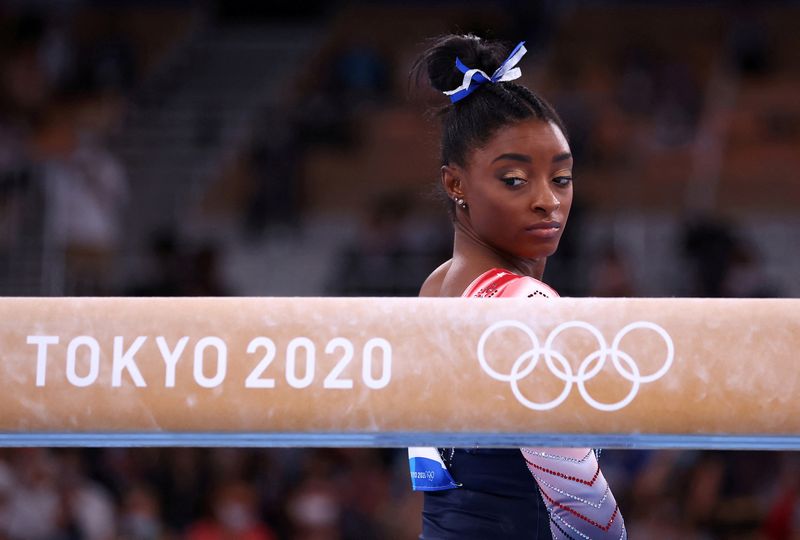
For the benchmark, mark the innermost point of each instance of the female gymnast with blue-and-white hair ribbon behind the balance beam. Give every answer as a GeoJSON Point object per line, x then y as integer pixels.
{"type": "Point", "coordinates": [507, 171]}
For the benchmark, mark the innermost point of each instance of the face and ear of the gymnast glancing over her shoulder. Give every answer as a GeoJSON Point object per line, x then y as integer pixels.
{"type": "Point", "coordinates": [518, 189]}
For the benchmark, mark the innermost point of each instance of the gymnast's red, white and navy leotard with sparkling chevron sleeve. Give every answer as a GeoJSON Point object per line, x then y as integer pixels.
{"type": "Point", "coordinates": [514, 493]}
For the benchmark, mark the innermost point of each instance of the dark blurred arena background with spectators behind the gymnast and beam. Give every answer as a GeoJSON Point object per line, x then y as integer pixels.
{"type": "Point", "coordinates": [186, 148]}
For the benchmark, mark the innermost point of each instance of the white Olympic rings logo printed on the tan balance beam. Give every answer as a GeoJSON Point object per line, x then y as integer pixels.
{"type": "Point", "coordinates": [591, 365]}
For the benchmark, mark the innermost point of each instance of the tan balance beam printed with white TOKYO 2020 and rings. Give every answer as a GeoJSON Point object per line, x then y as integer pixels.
{"type": "Point", "coordinates": [621, 373]}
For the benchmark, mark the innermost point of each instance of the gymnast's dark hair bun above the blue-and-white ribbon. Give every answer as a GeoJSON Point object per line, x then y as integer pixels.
{"type": "Point", "coordinates": [439, 60]}
